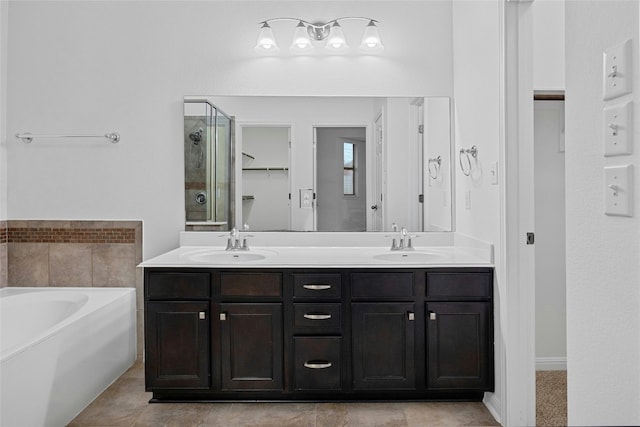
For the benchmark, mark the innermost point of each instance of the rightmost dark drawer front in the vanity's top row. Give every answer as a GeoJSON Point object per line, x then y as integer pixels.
{"type": "Point", "coordinates": [444, 285]}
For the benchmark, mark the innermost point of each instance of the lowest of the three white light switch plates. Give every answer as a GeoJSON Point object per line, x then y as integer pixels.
{"type": "Point", "coordinates": [618, 192]}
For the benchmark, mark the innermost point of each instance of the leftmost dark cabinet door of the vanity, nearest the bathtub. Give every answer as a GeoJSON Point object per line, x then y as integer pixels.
{"type": "Point", "coordinates": [177, 344]}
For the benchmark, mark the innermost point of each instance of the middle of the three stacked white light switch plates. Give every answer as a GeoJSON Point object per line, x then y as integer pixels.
{"type": "Point", "coordinates": [617, 129]}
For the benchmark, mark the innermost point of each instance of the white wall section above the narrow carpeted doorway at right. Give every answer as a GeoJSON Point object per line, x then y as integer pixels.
{"type": "Point", "coordinates": [548, 45]}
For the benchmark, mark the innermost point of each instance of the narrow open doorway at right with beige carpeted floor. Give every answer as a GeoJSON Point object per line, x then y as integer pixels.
{"type": "Point", "coordinates": [550, 261]}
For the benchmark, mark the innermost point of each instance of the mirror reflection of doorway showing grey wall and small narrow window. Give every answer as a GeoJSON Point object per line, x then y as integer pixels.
{"type": "Point", "coordinates": [341, 178]}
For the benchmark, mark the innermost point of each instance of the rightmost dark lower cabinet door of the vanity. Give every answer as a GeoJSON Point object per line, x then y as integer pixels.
{"type": "Point", "coordinates": [459, 345]}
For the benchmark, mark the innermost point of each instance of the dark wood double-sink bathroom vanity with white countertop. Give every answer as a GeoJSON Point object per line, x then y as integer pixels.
{"type": "Point", "coordinates": [278, 328]}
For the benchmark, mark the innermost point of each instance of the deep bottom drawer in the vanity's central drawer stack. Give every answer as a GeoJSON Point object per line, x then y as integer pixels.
{"type": "Point", "coordinates": [317, 363]}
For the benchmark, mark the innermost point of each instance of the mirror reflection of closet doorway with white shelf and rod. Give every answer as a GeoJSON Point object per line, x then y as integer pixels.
{"type": "Point", "coordinates": [265, 177]}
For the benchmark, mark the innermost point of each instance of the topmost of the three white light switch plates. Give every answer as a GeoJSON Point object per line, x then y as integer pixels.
{"type": "Point", "coordinates": [617, 72]}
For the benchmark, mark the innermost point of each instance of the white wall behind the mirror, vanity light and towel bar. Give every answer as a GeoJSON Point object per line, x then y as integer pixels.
{"type": "Point", "coordinates": [125, 66]}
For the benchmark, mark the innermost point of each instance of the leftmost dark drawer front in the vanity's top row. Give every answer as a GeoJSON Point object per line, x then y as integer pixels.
{"type": "Point", "coordinates": [167, 285]}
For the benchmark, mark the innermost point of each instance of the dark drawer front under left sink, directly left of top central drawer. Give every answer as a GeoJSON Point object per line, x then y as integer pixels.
{"type": "Point", "coordinates": [251, 284]}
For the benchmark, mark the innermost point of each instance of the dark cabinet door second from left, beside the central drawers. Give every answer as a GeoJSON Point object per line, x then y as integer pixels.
{"type": "Point", "coordinates": [252, 346]}
